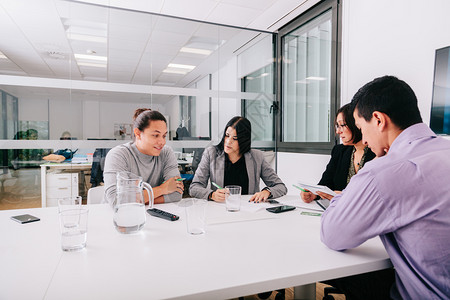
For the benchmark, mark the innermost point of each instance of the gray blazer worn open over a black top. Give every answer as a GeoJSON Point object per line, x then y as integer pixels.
{"type": "Point", "coordinates": [212, 167]}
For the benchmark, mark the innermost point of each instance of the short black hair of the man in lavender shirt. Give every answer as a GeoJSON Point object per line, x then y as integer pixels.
{"type": "Point", "coordinates": [391, 96]}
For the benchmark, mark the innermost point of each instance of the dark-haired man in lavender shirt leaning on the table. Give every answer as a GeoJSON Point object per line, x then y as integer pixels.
{"type": "Point", "coordinates": [403, 197]}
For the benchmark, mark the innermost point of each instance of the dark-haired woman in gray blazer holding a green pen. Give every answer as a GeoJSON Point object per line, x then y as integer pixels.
{"type": "Point", "coordinates": [232, 162]}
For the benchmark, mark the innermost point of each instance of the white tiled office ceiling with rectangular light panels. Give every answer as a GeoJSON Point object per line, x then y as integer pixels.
{"type": "Point", "coordinates": [137, 46]}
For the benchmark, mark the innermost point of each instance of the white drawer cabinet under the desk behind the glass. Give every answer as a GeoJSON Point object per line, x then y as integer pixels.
{"type": "Point", "coordinates": [60, 185]}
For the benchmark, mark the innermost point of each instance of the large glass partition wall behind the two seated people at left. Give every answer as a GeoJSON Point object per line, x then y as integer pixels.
{"type": "Point", "coordinates": [73, 74]}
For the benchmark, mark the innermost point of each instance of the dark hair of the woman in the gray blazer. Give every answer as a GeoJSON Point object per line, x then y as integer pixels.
{"type": "Point", "coordinates": [243, 129]}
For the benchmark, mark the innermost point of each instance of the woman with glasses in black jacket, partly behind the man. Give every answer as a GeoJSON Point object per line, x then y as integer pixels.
{"type": "Point", "coordinates": [346, 158]}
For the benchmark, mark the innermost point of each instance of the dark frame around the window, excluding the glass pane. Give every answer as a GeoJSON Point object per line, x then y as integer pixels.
{"type": "Point", "coordinates": [336, 21]}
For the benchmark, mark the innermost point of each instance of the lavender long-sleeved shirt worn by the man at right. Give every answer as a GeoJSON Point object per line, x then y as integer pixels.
{"type": "Point", "coordinates": [404, 197]}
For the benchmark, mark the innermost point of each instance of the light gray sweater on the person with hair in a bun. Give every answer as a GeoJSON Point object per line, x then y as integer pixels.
{"type": "Point", "coordinates": [153, 169]}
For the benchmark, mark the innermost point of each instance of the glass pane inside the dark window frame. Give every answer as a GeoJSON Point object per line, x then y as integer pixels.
{"type": "Point", "coordinates": [306, 81]}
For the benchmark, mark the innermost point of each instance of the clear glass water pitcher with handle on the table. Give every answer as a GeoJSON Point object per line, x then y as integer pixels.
{"type": "Point", "coordinates": [129, 210]}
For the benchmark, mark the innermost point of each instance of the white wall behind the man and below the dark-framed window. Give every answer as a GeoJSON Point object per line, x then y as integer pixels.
{"type": "Point", "coordinates": [382, 37]}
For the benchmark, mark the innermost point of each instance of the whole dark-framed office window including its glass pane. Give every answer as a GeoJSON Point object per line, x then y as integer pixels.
{"type": "Point", "coordinates": [309, 80]}
